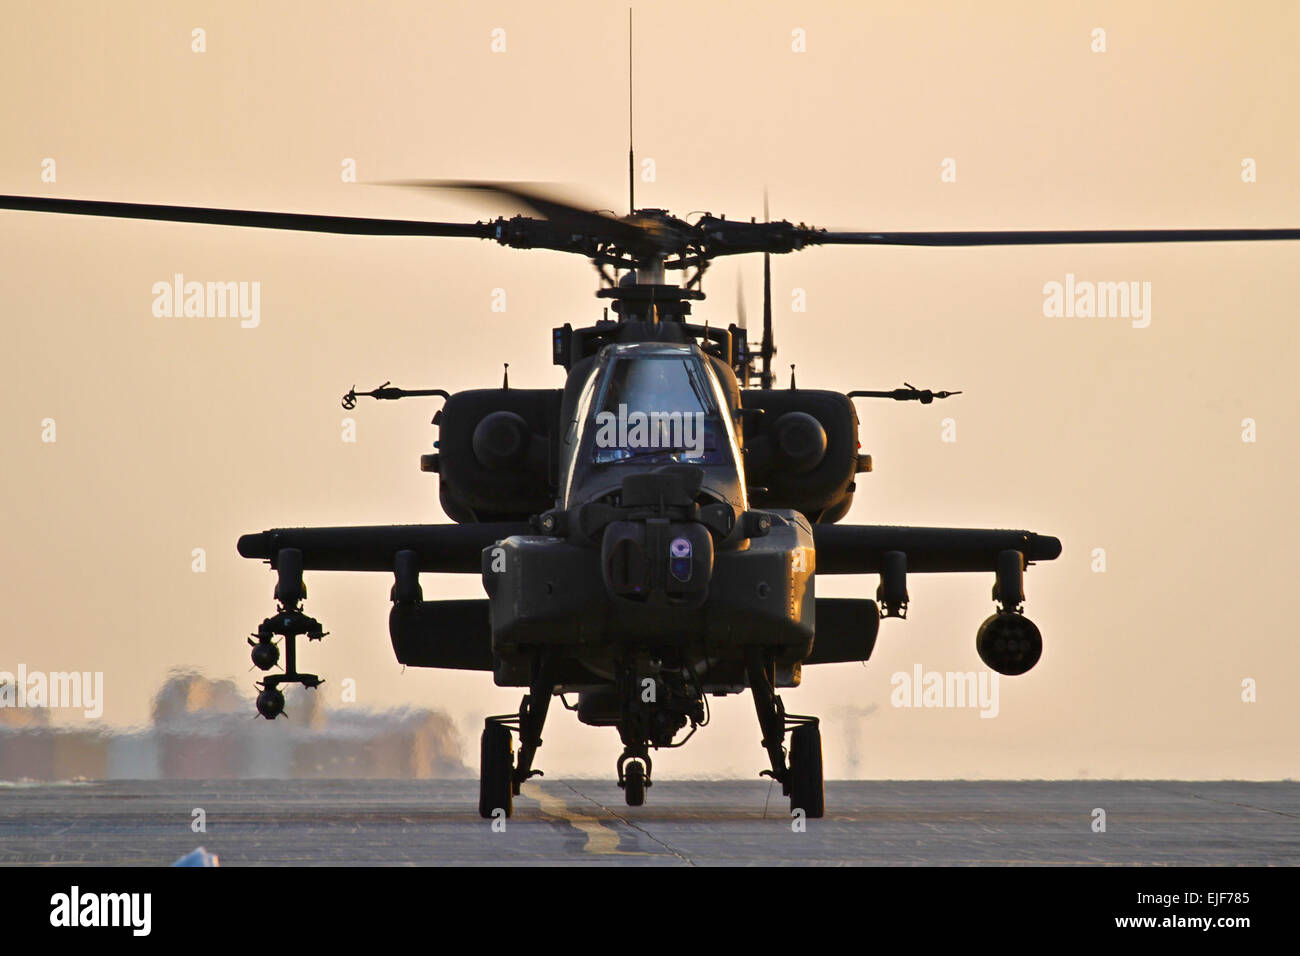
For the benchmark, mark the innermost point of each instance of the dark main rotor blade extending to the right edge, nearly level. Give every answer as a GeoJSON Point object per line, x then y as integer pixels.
{"type": "Point", "coordinates": [1051, 237]}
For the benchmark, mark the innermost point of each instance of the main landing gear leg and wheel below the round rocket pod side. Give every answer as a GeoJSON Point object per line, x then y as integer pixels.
{"type": "Point", "coordinates": [801, 781]}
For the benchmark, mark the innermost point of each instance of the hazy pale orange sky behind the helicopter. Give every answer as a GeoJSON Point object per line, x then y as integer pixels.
{"type": "Point", "coordinates": [183, 434]}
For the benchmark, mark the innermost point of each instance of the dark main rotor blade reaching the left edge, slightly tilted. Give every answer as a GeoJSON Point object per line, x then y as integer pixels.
{"type": "Point", "coordinates": [345, 226]}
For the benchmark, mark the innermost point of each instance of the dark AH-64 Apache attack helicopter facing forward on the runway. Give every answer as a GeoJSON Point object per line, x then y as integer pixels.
{"type": "Point", "coordinates": [651, 533]}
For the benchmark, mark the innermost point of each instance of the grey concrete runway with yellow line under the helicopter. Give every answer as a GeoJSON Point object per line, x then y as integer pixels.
{"type": "Point", "coordinates": [684, 823]}
